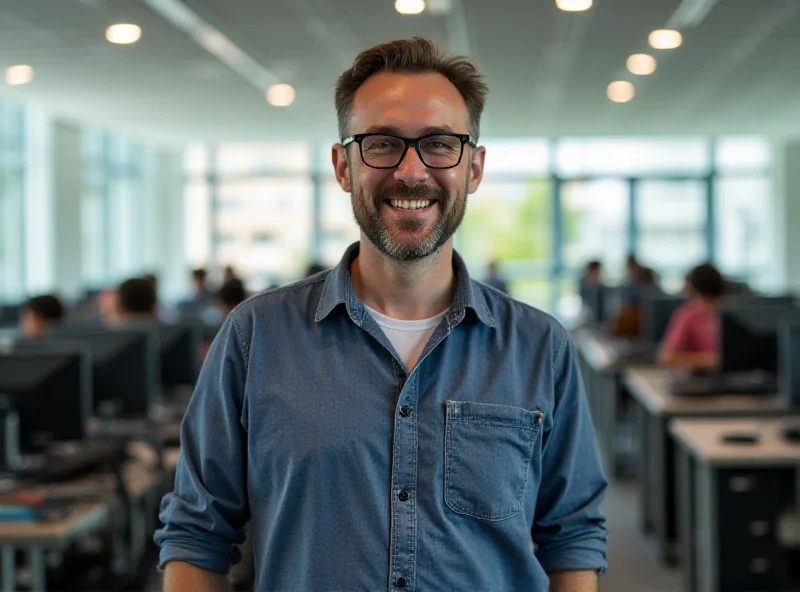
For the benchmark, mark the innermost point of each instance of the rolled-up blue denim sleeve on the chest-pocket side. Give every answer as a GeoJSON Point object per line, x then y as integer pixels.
{"type": "Point", "coordinates": [568, 529]}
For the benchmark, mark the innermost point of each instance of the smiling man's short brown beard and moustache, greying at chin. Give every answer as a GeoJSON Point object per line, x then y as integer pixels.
{"type": "Point", "coordinates": [407, 240]}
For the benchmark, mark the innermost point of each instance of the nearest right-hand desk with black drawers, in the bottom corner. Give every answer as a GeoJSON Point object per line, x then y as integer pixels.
{"type": "Point", "coordinates": [731, 497]}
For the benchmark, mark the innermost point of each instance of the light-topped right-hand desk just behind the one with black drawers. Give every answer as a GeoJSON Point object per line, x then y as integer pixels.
{"type": "Point", "coordinates": [654, 407]}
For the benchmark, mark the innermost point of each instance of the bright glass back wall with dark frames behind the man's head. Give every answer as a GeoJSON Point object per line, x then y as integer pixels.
{"type": "Point", "coordinates": [544, 209]}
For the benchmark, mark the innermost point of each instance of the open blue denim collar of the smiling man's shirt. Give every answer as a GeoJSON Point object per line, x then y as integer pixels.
{"type": "Point", "coordinates": [338, 289]}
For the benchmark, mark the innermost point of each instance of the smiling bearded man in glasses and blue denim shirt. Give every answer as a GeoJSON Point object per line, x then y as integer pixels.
{"type": "Point", "coordinates": [392, 424]}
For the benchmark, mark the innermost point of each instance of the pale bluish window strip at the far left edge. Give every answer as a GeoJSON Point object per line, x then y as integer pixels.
{"type": "Point", "coordinates": [12, 193]}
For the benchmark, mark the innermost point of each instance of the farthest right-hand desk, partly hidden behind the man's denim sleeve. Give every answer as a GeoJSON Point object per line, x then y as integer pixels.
{"type": "Point", "coordinates": [601, 367]}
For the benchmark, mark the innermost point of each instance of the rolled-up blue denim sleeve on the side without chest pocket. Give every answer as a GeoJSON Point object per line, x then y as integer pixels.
{"type": "Point", "coordinates": [204, 516]}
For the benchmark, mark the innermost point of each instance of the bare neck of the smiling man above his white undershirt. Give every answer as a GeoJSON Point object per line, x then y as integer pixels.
{"type": "Point", "coordinates": [405, 290]}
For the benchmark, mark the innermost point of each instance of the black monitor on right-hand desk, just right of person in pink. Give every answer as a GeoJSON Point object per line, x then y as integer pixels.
{"type": "Point", "coordinates": [749, 337]}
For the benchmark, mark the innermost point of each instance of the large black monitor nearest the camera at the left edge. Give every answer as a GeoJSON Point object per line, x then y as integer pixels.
{"type": "Point", "coordinates": [50, 388]}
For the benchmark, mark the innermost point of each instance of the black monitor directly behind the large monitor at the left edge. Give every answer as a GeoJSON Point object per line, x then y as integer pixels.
{"type": "Point", "coordinates": [125, 367]}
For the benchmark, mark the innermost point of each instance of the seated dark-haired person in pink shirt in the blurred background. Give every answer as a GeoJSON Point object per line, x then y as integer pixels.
{"type": "Point", "coordinates": [692, 337]}
